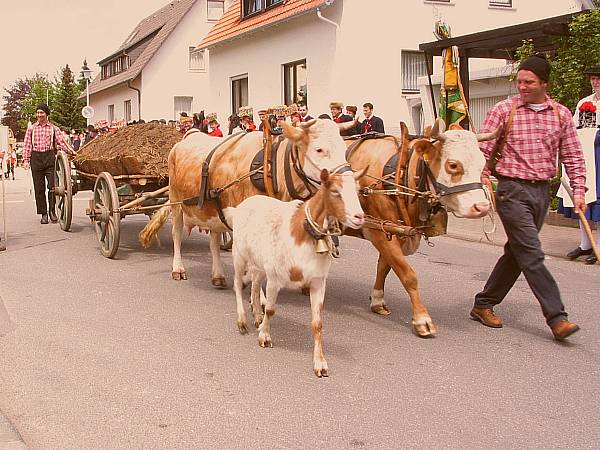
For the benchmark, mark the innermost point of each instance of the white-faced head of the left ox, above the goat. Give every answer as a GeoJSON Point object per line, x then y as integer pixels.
{"type": "Point", "coordinates": [319, 141]}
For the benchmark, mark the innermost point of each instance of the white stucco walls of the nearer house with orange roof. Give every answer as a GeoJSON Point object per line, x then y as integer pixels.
{"type": "Point", "coordinates": [361, 61]}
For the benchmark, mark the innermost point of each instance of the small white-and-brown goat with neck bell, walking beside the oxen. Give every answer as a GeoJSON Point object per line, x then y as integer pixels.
{"type": "Point", "coordinates": [288, 256]}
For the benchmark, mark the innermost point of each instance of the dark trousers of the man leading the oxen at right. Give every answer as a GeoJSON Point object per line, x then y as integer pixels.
{"type": "Point", "coordinates": [522, 208]}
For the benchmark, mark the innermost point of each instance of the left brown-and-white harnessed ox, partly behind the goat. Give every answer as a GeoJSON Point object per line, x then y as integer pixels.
{"type": "Point", "coordinates": [319, 146]}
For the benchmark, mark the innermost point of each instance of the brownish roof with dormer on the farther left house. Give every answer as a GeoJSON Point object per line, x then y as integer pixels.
{"type": "Point", "coordinates": [161, 22]}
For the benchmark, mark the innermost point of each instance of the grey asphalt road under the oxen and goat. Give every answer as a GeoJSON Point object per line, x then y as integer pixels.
{"type": "Point", "coordinates": [113, 354]}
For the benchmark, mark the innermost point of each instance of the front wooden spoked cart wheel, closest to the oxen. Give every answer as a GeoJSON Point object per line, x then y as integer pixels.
{"type": "Point", "coordinates": [107, 221]}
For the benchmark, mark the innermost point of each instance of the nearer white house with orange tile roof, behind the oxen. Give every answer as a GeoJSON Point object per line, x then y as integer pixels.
{"type": "Point", "coordinates": [269, 52]}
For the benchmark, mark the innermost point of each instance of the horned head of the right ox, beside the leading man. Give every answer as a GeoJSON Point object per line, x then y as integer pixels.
{"type": "Point", "coordinates": [457, 162]}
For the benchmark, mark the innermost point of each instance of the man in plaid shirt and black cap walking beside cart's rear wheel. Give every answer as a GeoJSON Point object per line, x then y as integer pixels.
{"type": "Point", "coordinates": [41, 140]}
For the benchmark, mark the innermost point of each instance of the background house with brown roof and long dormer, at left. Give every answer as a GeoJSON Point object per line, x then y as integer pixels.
{"type": "Point", "coordinates": [157, 72]}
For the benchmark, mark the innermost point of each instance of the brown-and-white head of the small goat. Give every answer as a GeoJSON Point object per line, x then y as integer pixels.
{"type": "Point", "coordinates": [339, 197]}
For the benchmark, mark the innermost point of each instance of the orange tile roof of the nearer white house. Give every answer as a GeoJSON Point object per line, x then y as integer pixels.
{"type": "Point", "coordinates": [230, 26]}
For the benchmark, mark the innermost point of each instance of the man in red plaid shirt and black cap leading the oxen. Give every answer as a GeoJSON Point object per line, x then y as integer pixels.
{"type": "Point", "coordinates": [541, 130]}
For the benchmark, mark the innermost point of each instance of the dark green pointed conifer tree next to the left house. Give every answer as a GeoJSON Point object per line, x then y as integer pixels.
{"type": "Point", "coordinates": [66, 111]}
